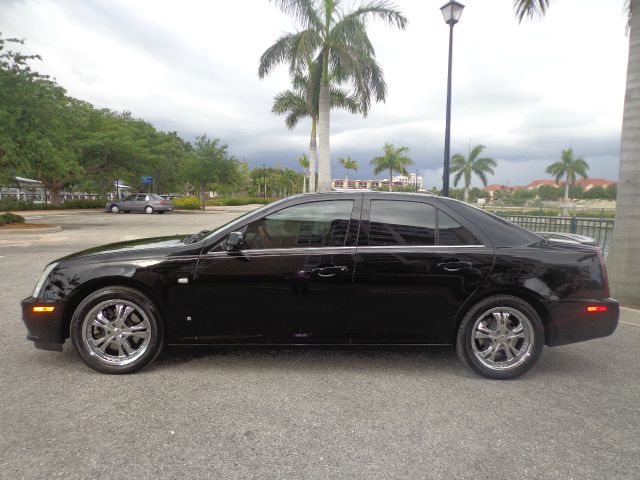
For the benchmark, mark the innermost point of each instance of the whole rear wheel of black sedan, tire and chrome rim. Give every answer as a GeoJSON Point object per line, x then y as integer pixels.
{"type": "Point", "coordinates": [478, 340]}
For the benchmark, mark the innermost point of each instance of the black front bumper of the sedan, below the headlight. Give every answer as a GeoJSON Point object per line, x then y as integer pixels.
{"type": "Point", "coordinates": [44, 328]}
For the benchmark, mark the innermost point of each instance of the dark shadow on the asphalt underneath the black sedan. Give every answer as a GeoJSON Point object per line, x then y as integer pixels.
{"type": "Point", "coordinates": [423, 360]}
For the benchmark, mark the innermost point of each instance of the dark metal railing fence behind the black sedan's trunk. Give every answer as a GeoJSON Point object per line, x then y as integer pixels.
{"type": "Point", "coordinates": [598, 228]}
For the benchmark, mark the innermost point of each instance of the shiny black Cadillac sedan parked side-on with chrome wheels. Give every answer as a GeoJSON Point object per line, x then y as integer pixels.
{"type": "Point", "coordinates": [352, 268]}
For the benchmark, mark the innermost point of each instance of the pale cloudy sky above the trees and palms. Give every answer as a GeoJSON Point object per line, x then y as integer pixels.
{"type": "Point", "coordinates": [525, 91]}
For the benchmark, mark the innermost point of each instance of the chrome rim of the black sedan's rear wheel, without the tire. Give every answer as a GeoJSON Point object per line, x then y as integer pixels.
{"type": "Point", "coordinates": [502, 338]}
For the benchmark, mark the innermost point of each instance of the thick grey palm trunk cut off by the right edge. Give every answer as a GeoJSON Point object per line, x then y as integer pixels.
{"type": "Point", "coordinates": [624, 274]}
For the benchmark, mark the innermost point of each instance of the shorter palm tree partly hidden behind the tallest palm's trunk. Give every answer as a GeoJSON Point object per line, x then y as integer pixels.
{"type": "Point", "coordinates": [302, 101]}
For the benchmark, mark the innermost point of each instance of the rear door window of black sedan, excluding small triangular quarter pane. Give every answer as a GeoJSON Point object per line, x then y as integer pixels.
{"type": "Point", "coordinates": [401, 223]}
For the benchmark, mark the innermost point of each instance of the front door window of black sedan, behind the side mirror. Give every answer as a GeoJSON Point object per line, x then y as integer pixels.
{"type": "Point", "coordinates": [317, 224]}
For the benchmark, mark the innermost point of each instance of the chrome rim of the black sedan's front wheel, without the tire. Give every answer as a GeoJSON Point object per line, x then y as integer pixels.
{"type": "Point", "coordinates": [116, 332]}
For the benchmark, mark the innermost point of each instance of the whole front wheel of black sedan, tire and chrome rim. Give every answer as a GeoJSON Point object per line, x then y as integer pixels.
{"type": "Point", "coordinates": [141, 330]}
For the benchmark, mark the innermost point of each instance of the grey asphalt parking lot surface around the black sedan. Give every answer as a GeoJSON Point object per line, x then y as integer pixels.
{"type": "Point", "coordinates": [293, 414]}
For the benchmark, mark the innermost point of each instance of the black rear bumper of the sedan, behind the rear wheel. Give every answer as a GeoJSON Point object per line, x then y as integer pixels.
{"type": "Point", "coordinates": [569, 321]}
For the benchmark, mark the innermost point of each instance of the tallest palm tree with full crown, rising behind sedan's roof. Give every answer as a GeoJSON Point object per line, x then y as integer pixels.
{"type": "Point", "coordinates": [339, 43]}
